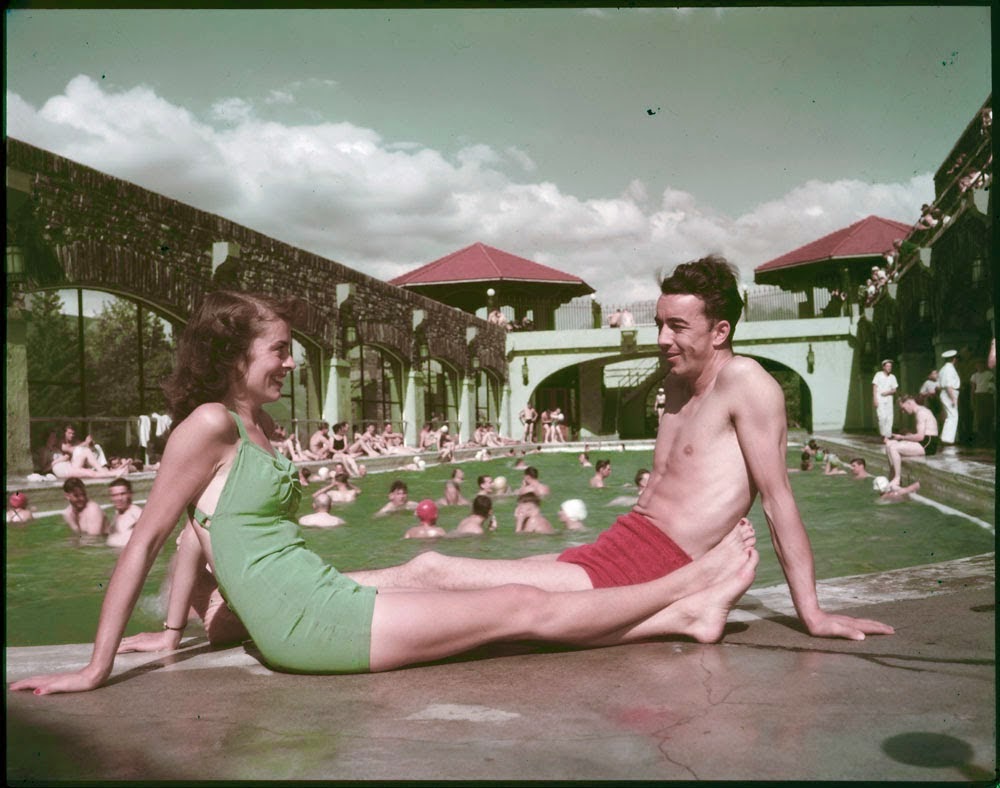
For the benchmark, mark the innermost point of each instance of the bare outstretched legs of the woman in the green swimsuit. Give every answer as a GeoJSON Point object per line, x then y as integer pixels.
{"type": "Point", "coordinates": [422, 626]}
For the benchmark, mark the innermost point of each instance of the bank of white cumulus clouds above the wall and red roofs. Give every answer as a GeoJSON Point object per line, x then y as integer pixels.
{"type": "Point", "coordinates": [387, 206]}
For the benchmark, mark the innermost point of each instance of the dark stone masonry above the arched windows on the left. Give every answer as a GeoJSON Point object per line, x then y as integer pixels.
{"type": "Point", "coordinates": [105, 233]}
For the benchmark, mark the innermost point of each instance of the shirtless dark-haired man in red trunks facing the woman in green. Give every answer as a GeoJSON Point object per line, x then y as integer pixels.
{"type": "Point", "coordinates": [720, 443]}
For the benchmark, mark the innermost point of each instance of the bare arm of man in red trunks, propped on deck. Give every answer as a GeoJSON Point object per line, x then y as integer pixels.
{"type": "Point", "coordinates": [758, 412]}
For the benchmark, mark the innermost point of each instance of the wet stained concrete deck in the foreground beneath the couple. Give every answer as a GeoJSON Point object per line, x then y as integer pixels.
{"type": "Point", "coordinates": [768, 703]}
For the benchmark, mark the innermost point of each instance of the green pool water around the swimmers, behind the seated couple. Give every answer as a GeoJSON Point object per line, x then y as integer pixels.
{"type": "Point", "coordinates": [55, 585]}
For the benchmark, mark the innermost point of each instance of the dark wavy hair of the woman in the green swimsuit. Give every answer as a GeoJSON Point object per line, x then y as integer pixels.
{"type": "Point", "coordinates": [214, 342]}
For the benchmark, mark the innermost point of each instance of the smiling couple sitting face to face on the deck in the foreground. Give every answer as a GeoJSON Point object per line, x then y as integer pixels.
{"type": "Point", "coordinates": [674, 565]}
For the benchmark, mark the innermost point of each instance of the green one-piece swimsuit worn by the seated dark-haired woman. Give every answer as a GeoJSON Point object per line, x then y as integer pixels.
{"type": "Point", "coordinates": [303, 615]}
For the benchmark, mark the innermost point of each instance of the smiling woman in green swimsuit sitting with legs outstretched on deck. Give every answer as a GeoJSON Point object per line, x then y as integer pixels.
{"type": "Point", "coordinates": [239, 497]}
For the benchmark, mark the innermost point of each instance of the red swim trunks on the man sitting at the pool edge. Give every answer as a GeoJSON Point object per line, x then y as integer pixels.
{"type": "Point", "coordinates": [631, 551]}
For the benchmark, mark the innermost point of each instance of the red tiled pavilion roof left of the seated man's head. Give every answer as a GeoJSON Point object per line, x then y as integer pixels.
{"type": "Point", "coordinates": [479, 263]}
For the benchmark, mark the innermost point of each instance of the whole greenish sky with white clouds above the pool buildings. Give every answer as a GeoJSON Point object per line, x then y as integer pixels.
{"type": "Point", "coordinates": [608, 143]}
